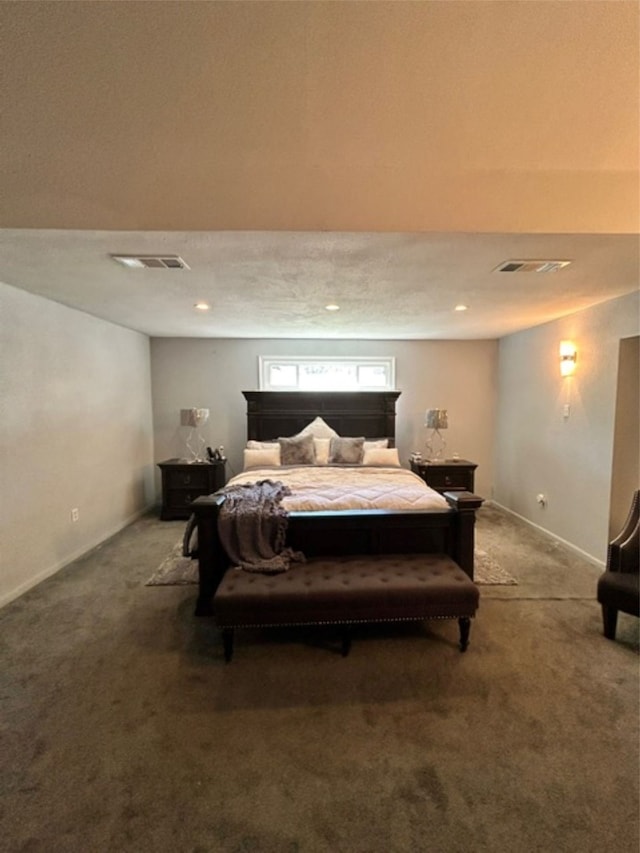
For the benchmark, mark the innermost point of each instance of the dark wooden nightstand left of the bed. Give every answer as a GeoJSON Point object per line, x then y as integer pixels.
{"type": "Point", "coordinates": [183, 482]}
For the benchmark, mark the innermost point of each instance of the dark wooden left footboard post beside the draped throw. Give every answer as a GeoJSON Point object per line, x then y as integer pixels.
{"type": "Point", "coordinates": [212, 560]}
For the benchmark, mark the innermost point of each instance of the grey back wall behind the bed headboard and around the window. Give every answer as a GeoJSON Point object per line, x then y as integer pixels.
{"type": "Point", "coordinates": [457, 375]}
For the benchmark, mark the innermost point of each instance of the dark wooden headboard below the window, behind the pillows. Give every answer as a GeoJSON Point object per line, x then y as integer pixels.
{"type": "Point", "coordinates": [271, 414]}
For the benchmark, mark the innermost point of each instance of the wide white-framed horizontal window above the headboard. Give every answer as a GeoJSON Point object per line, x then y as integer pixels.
{"type": "Point", "coordinates": [326, 374]}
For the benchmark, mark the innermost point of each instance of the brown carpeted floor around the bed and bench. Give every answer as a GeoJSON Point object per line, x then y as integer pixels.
{"type": "Point", "coordinates": [123, 729]}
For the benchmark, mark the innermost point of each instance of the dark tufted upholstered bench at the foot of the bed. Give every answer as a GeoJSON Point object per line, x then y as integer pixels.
{"type": "Point", "coordinates": [345, 591]}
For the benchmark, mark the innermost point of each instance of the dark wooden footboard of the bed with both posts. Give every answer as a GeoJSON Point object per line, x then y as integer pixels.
{"type": "Point", "coordinates": [447, 531]}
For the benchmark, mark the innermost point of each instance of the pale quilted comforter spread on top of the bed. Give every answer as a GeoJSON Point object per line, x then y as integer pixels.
{"type": "Point", "coordinates": [332, 488]}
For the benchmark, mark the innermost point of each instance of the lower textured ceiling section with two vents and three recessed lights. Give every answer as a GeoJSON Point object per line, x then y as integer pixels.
{"type": "Point", "coordinates": [266, 284]}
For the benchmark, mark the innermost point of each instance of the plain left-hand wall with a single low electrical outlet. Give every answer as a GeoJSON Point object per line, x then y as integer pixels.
{"type": "Point", "coordinates": [75, 431]}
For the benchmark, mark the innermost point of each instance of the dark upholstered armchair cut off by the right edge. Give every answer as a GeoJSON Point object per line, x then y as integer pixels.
{"type": "Point", "coordinates": [618, 587]}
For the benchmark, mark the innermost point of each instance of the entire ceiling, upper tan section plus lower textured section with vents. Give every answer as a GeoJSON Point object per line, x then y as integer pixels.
{"type": "Point", "coordinates": [387, 156]}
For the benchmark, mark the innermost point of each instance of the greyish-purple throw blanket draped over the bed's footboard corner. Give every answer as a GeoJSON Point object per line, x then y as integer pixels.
{"type": "Point", "coordinates": [252, 525]}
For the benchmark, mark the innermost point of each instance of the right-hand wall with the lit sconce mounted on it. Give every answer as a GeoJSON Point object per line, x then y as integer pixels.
{"type": "Point", "coordinates": [538, 450]}
